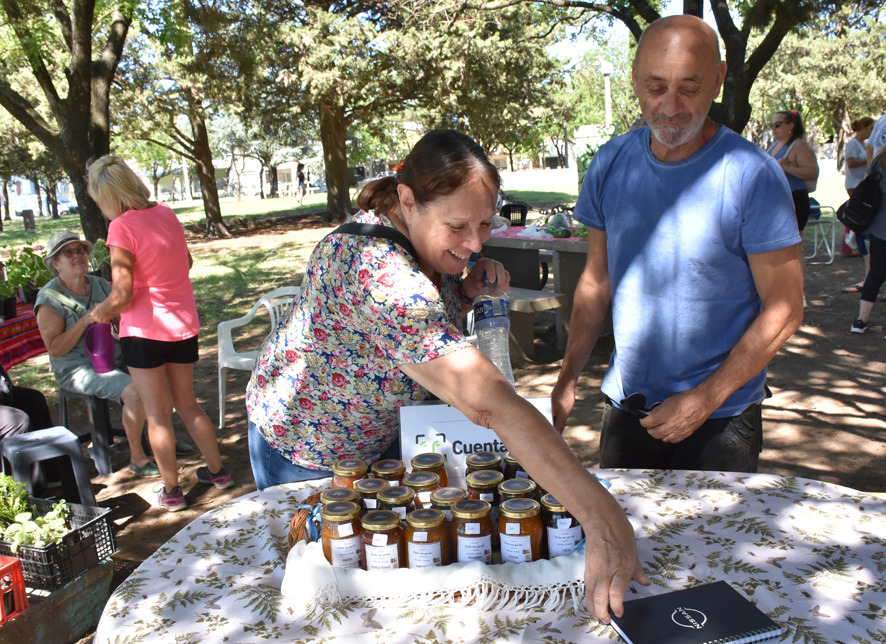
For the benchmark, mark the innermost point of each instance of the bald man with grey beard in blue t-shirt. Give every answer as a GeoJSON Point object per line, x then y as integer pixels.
{"type": "Point", "coordinates": [693, 242]}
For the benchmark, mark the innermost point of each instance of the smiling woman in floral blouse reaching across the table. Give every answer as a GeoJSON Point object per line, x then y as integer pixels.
{"type": "Point", "coordinates": [375, 327]}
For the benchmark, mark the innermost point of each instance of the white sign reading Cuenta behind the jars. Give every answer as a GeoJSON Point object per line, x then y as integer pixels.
{"type": "Point", "coordinates": [438, 427]}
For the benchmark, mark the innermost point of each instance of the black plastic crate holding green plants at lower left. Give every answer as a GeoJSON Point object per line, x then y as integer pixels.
{"type": "Point", "coordinates": [89, 541]}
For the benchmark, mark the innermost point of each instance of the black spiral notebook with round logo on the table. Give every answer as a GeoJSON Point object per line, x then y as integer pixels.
{"type": "Point", "coordinates": [709, 614]}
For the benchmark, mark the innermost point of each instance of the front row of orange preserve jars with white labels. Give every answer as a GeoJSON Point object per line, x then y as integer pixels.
{"type": "Point", "coordinates": [381, 539]}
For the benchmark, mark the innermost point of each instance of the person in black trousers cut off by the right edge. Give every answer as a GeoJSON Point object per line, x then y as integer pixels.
{"type": "Point", "coordinates": [876, 233]}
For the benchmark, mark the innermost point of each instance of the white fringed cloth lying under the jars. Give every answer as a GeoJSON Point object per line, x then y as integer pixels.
{"type": "Point", "coordinates": [311, 582]}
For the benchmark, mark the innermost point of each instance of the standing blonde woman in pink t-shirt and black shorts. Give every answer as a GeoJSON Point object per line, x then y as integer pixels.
{"type": "Point", "coordinates": [154, 297]}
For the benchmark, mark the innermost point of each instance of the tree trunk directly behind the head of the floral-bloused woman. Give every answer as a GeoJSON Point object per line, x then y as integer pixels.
{"type": "Point", "coordinates": [333, 135]}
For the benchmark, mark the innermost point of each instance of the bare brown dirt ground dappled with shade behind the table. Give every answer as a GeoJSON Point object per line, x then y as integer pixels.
{"type": "Point", "coordinates": [825, 421]}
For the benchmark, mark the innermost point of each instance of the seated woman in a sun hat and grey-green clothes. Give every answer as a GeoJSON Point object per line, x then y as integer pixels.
{"type": "Point", "coordinates": [64, 310]}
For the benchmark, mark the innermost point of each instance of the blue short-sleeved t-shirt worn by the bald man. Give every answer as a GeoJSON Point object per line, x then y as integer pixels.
{"type": "Point", "coordinates": [678, 239]}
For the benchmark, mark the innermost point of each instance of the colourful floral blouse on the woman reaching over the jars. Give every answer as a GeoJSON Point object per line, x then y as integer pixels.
{"type": "Point", "coordinates": [326, 384]}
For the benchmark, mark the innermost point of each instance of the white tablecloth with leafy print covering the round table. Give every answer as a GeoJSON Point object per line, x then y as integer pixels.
{"type": "Point", "coordinates": [811, 555]}
